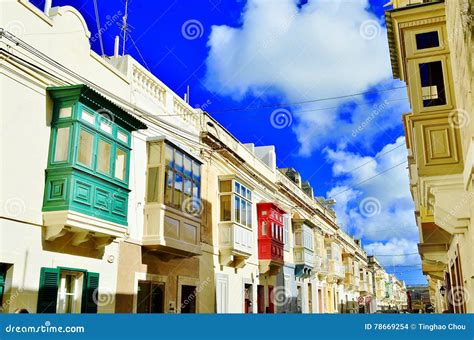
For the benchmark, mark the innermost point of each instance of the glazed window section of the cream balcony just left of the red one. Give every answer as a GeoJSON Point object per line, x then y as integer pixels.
{"type": "Point", "coordinates": [239, 196]}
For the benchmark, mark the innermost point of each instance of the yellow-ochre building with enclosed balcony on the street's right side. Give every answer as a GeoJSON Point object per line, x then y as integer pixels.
{"type": "Point", "coordinates": [431, 46]}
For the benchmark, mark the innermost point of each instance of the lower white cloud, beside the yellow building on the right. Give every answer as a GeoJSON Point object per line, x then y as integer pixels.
{"type": "Point", "coordinates": [372, 202]}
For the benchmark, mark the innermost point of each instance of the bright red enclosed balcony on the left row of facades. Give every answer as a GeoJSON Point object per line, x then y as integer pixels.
{"type": "Point", "coordinates": [270, 238]}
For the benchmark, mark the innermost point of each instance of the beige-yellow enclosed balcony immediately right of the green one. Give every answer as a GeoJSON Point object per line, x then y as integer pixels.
{"type": "Point", "coordinates": [173, 206]}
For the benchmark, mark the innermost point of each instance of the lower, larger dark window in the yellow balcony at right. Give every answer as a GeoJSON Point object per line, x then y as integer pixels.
{"type": "Point", "coordinates": [432, 84]}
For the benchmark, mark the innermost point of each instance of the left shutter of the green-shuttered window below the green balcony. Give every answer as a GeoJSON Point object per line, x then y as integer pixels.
{"type": "Point", "coordinates": [48, 290]}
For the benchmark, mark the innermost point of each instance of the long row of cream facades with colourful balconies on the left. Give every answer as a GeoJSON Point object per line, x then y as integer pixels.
{"type": "Point", "coordinates": [132, 201]}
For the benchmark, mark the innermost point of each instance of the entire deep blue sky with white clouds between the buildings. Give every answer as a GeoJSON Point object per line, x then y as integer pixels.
{"type": "Point", "coordinates": [254, 55]}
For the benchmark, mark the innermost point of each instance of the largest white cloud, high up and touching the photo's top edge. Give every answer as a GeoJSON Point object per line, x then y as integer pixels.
{"type": "Point", "coordinates": [324, 49]}
